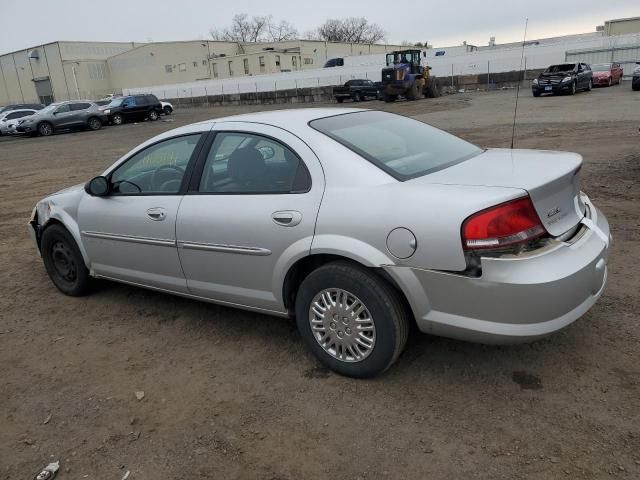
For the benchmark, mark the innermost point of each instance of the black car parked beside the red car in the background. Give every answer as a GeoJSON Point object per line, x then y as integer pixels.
{"type": "Point", "coordinates": [564, 78]}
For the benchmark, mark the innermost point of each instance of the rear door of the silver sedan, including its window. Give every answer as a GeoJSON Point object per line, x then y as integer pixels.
{"type": "Point", "coordinates": [252, 209]}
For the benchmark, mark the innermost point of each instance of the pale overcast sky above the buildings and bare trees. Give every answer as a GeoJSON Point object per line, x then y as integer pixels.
{"type": "Point", "coordinates": [441, 23]}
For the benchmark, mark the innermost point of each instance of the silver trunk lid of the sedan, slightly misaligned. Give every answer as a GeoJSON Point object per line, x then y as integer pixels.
{"type": "Point", "coordinates": [550, 178]}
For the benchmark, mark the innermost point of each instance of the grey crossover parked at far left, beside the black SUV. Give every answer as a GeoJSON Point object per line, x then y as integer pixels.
{"type": "Point", "coordinates": [73, 115]}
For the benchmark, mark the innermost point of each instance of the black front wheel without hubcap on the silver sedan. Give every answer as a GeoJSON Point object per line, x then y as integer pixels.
{"type": "Point", "coordinates": [63, 261]}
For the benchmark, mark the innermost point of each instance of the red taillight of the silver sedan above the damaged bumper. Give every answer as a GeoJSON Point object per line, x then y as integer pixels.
{"type": "Point", "coordinates": [506, 224]}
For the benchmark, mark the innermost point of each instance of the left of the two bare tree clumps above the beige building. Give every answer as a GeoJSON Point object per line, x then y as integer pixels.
{"type": "Point", "coordinates": [255, 29]}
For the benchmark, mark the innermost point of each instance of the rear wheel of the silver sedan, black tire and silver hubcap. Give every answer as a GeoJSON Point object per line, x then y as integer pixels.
{"type": "Point", "coordinates": [352, 320]}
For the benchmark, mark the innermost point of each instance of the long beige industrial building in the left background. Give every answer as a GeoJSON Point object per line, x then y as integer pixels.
{"type": "Point", "coordinates": [71, 70]}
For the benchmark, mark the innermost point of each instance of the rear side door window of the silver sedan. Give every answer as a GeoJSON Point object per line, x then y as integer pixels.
{"type": "Point", "coordinates": [241, 162]}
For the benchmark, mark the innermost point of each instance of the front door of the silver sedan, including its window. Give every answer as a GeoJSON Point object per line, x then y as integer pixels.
{"type": "Point", "coordinates": [129, 234]}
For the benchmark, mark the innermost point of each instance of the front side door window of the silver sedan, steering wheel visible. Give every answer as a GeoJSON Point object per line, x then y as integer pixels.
{"type": "Point", "coordinates": [158, 169]}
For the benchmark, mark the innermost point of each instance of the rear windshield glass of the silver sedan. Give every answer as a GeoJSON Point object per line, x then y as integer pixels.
{"type": "Point", "coordinates": [403, 147]}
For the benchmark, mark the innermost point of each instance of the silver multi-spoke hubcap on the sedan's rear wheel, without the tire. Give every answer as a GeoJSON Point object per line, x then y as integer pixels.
{"type": "Point", "coordinates": [342, 325]}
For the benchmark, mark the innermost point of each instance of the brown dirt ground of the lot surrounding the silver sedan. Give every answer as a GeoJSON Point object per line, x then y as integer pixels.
{"type": "Point", "coordinates": [235, 395]}
